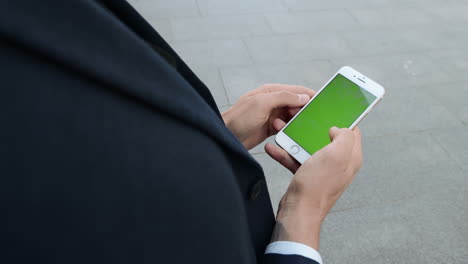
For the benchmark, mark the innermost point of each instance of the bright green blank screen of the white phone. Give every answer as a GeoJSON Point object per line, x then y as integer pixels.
{"type": "Point", "coordinates": [339, 104]}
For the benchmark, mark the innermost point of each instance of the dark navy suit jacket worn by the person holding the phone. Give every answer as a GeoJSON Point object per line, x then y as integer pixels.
{"type": "Point", "coordinates": [113, 151]}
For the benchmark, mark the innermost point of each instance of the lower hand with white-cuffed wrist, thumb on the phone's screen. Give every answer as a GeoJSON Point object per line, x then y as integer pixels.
{"type": "Point", "coordinates": [316, 186]}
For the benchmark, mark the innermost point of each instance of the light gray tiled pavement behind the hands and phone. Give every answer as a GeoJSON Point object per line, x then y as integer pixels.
{"type": "Point", "coordinates": [409, 203]}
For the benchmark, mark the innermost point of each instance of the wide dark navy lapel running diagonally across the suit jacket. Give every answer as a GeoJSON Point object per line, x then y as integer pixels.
{"type": "Point", "coordinates": [85, 38]}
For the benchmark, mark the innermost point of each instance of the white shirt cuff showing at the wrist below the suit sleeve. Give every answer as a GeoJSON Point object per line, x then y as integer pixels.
{"type": "Point", "coordinates": [293, 248]}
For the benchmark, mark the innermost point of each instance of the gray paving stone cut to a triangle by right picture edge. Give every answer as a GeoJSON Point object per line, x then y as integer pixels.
{"type": "Point", "coordinates": [455, 142]}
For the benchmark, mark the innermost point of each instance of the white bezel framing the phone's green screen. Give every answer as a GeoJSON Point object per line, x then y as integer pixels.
{"type": "Point", "coordinates": [358, 78]}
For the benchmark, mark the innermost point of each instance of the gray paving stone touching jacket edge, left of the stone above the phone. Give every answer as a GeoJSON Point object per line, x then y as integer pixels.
{"type": "Point", "coordinates": [213, 52]}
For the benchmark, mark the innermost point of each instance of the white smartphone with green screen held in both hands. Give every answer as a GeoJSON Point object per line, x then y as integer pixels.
{"type": "Point", "coordinates": [343, 102]}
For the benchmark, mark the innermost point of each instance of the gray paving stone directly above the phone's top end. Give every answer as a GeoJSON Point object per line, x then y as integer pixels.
{"type": "Point", "coordinates": [297, 48]}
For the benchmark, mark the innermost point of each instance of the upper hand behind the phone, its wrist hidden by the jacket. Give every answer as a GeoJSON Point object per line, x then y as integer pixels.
{"type": "Point", "coordinates": [253, 118]}
